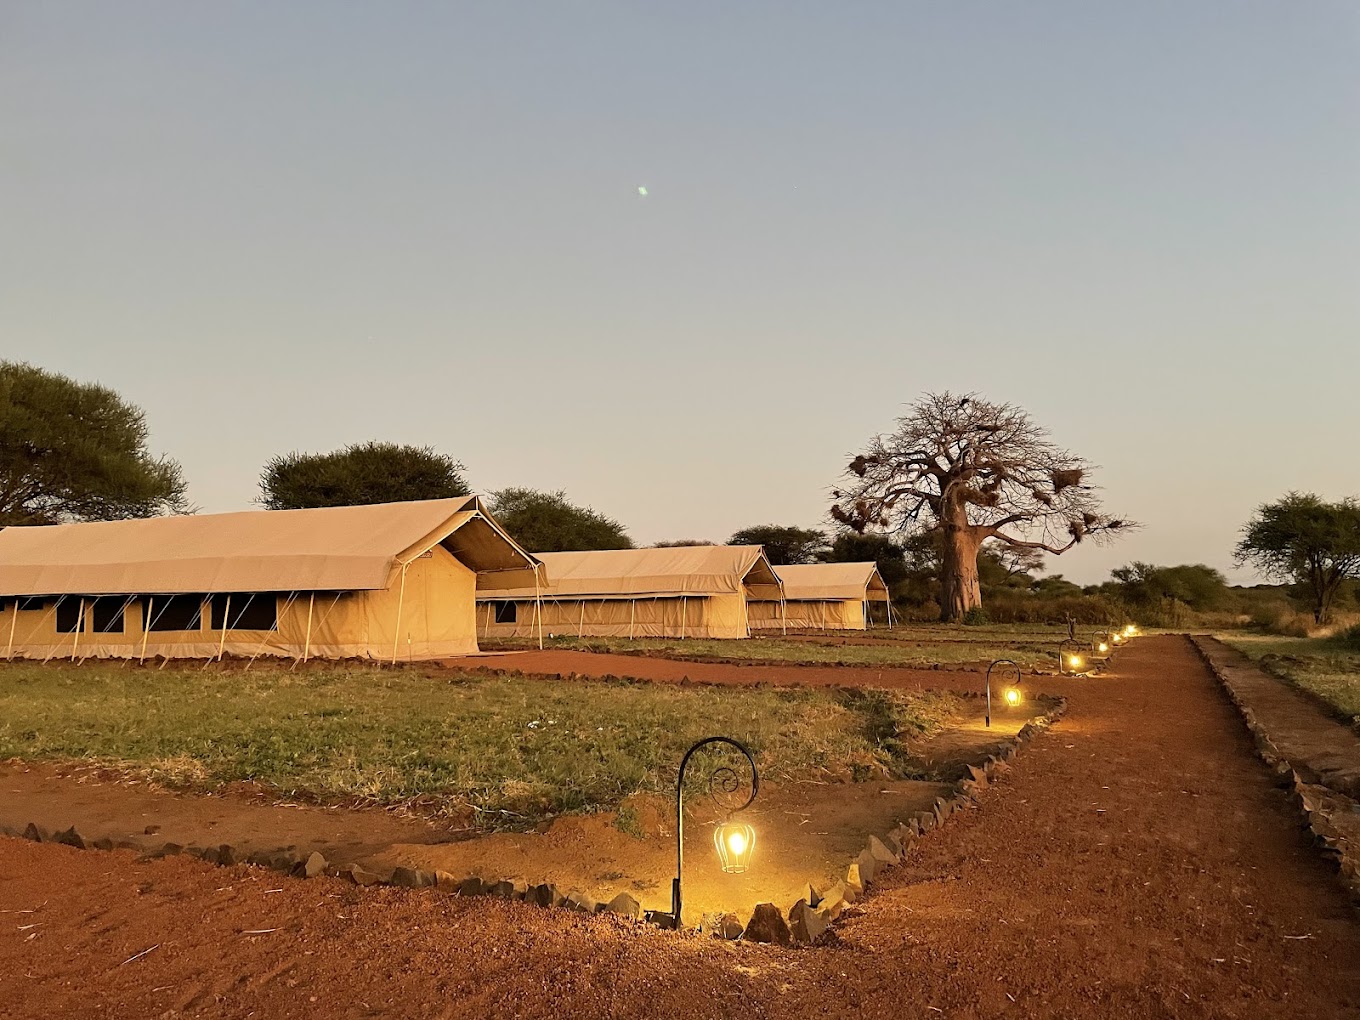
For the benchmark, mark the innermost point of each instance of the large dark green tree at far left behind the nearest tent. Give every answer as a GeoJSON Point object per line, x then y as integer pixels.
{"type": "Point", "coordinates": [77, 452]}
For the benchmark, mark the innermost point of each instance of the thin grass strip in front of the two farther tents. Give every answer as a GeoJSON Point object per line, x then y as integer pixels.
{"type": "Point", "coordinates": [921, 647]}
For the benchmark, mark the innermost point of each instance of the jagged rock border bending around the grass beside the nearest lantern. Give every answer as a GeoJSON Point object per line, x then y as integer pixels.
{"type": "Point", "coordinates": [804, 923]}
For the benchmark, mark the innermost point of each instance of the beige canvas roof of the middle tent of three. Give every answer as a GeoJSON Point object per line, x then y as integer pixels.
{"type": "Point", "coordinates": [686, 571]}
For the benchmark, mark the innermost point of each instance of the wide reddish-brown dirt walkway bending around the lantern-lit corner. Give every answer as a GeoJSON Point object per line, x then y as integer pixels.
{"type": "Point", "coordinates": [1138, 863]}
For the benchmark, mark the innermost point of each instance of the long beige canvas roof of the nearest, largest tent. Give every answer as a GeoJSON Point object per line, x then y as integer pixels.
{"type": "Point", "coordinates": [342, 549]}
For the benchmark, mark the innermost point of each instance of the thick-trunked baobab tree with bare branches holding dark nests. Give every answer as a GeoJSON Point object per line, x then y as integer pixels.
{"type": "Point", "coordinates": [970, 471]}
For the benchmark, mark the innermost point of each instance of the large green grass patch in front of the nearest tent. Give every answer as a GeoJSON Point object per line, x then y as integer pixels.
{"type": "Point", "coordinates": [511, 749]}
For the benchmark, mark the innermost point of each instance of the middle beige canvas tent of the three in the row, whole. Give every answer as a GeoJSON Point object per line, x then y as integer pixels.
{"type": "Point", "coordinates": [683, 592]}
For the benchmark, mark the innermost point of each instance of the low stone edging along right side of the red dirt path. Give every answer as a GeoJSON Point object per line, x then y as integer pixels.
{"type": "Point", "coordinates": [1316, 803]}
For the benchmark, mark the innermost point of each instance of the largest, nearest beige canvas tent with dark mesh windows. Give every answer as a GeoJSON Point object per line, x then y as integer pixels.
{"type": "Point", "coordinates": [384, 581]}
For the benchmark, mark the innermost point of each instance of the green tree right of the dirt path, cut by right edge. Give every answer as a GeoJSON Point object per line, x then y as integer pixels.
{"type": "Point", "coordinates": [1309, 542]}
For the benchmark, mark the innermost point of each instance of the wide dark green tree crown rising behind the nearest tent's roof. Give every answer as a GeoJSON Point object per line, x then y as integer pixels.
{"type": "Point", "coordinates": [361, 474]}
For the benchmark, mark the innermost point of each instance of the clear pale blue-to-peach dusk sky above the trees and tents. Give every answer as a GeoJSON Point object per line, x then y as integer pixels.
{"type": "Point", "coordinates": [297, 226]}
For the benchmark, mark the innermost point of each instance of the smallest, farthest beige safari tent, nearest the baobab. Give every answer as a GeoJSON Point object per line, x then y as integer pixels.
{"type": "Point", "coordinates": [825, 598]}
